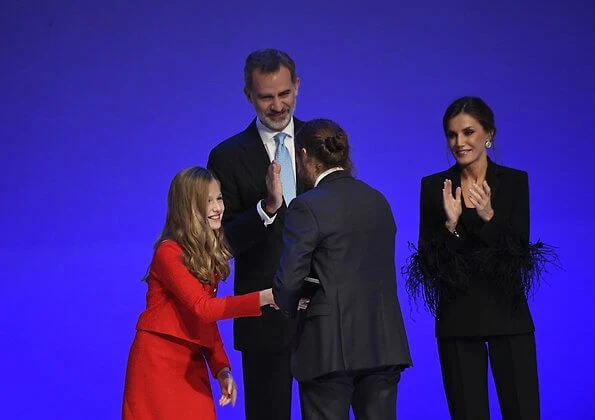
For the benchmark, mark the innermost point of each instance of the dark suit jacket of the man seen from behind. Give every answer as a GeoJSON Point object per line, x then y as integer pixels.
{"type": "Point", "coordinates": [343, 233]}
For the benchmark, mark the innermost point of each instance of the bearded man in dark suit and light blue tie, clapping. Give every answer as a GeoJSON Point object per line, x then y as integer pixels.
{"type": "Point", "coordinates": [255, 203]}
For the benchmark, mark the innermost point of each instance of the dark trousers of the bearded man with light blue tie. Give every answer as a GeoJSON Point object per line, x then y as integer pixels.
{"type": "Point", "coordinates": [267, 385]}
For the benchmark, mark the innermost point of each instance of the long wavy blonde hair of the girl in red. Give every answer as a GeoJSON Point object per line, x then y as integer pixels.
{"type": "Point", "coordinates": [205, 250]}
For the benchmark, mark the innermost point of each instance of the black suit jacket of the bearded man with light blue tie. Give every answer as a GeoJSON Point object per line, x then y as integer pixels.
{"type": "Point", "coordinates": [241, 163]}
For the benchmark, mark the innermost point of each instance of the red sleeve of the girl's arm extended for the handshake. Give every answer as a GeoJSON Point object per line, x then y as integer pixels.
{"type": "Point", "coordinates": [169, 269]}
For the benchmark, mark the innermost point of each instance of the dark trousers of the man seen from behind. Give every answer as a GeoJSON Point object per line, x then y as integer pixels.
{"type": "Point", "coordinates": [371, 393]}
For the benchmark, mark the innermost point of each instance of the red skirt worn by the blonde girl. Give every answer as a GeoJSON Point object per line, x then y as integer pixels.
{"type": "Point", "coordinates": [166, 378]}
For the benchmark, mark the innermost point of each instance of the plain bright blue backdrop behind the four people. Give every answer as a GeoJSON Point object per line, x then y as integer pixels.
{"type": "Point", "coordinates": [102, 102]}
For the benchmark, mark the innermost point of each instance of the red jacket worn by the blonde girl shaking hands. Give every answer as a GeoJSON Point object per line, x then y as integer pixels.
{"type": "Point", "coordinates": [180, 306]}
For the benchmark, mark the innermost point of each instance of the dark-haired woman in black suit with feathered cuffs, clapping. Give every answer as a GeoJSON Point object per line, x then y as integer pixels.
{"type": "Point", "coordinates": [474, 269]}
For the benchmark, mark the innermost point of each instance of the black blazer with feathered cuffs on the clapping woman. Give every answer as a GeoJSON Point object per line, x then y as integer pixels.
{"type": "Point", "coordinates": [476, 274]}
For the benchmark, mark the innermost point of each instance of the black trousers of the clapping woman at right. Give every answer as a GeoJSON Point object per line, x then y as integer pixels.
{"type": "Point", "coordinates": [464, 363]}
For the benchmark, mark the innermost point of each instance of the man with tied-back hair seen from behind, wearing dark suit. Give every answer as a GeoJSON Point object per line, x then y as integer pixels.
{"type": "Point", "coordinates": [351, 344]}
